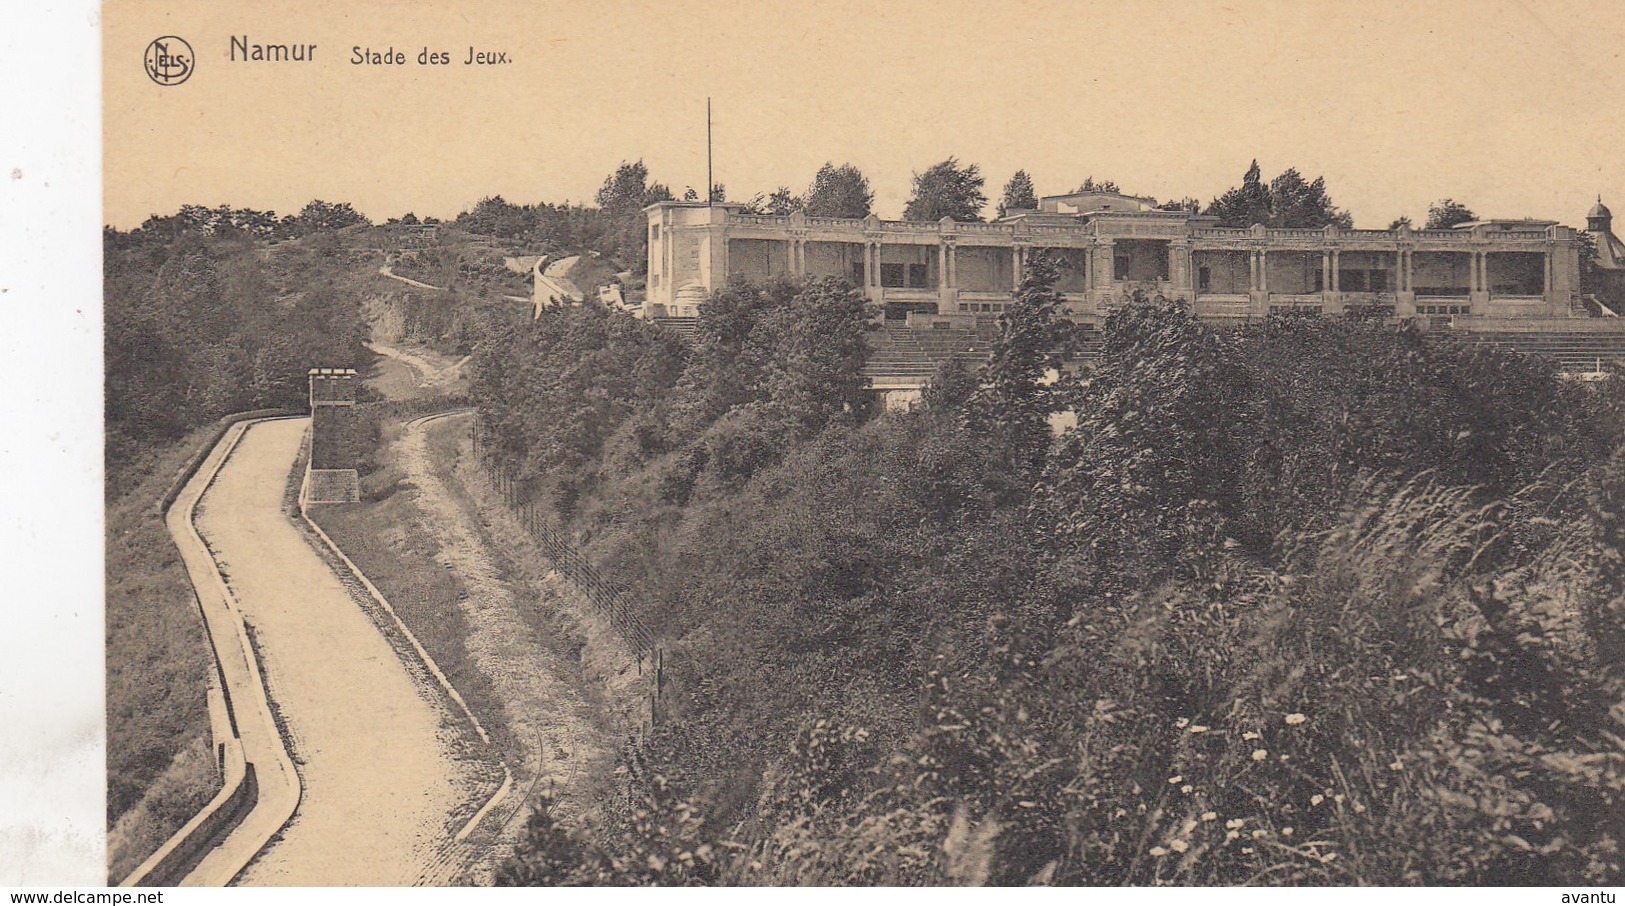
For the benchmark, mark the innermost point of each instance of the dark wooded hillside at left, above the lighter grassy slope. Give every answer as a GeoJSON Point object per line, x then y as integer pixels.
{"type": "Point", "coordinates": [201, 324]}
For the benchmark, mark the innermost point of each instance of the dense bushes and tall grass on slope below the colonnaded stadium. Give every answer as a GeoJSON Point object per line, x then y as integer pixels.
{"type": "Point", "coordinates": [1302, 603]}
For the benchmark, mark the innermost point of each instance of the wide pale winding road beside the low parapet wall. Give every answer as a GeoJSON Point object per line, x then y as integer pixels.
{"type": "Point", "coordinates": [384, 785]}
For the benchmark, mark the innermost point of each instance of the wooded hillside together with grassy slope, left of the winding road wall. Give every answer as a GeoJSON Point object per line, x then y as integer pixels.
{"type": "Point", "coordinates": [202, 319]}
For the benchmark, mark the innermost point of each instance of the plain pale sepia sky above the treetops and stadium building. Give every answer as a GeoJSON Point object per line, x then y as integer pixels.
{"type": "Point", "coordinates": [1510, 108]}
